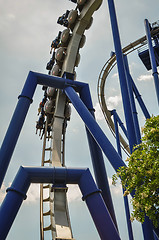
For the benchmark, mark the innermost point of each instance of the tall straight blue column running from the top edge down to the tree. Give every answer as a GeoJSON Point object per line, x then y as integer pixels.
{"type": "Point", "coordinates": [122, 76]}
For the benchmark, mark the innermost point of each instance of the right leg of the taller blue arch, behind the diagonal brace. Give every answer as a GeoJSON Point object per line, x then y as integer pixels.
{"type": "Point", "coordinates": [97, 157]}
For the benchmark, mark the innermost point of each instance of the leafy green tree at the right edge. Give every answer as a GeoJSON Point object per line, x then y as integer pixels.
{"type": "Point", "coordinates": [142, 174]}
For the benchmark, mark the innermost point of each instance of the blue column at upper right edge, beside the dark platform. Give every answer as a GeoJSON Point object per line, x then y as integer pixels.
{"type": "Point", "coordinates": [152, 58]}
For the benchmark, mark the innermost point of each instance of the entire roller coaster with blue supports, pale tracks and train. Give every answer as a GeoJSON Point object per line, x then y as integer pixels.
{"type": "Point", "coordinates": [60, 91]}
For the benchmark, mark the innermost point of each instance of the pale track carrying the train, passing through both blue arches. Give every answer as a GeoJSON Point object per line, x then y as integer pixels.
{"type": "Point", "coordinates": [54, 215]}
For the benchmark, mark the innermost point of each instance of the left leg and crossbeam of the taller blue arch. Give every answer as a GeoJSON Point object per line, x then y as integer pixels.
{"type": "Point", "coordinates": [21, 110]}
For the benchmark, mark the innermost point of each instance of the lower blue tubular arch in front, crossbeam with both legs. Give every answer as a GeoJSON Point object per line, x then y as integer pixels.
{"type": "Point", "coordinates": [91, 195]}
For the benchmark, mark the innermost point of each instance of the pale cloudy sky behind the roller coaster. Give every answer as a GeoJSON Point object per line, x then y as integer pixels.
{"type": "Point", "coordinates": [26, 30]}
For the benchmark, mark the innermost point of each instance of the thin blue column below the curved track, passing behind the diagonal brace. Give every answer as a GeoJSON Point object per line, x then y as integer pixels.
{"type": "Point", "coordinates": [126, 203]}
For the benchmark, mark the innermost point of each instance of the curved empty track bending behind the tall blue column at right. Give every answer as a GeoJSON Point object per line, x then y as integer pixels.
{"type": "Point", "coordinates": [109, 65]}
